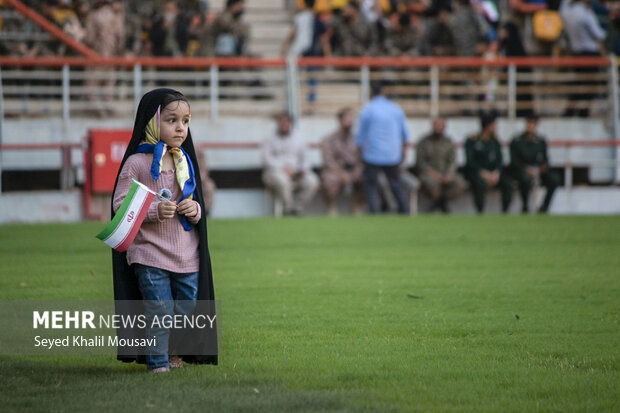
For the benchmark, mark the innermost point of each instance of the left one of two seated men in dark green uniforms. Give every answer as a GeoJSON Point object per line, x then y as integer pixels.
{"type": "Point", "coordinates": [484, 164]}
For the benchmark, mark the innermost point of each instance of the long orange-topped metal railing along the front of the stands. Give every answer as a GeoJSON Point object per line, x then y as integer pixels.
{"type": "Point", "coordinates": [508, 91]}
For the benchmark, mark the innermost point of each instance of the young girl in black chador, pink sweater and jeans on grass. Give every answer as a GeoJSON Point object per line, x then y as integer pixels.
{"type": "Point", "coordinates": [169, 258]}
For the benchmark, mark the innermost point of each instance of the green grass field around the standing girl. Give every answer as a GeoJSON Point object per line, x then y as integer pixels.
{"type": "Point", "coordinates": [493, 313]}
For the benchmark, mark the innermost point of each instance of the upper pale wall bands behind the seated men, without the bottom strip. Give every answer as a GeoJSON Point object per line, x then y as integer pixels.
{"type": "Point", "coordinates": [53, 130]}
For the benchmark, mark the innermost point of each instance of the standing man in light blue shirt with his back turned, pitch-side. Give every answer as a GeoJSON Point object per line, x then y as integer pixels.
{"type": "Point", "coordinates": [382, 138]}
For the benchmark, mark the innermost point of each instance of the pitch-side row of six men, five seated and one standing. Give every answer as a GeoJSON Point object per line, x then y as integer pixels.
{"type": "Point", "coordinates": [368, 163]}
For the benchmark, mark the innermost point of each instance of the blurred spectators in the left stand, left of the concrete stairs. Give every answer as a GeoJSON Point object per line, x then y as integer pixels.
{"type": "Point", "coordinates": [170, 28]}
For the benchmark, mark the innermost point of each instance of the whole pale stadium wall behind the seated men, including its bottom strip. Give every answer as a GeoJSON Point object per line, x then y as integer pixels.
{"type": "Point", "coordinates": [66, 206]}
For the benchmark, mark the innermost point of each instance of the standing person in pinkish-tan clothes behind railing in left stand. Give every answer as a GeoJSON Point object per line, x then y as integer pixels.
{"type": "Point", "coordinates": [105, 34]}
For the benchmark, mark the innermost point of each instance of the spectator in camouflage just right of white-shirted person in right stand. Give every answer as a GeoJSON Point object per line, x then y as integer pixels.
{"type": "Point", "coordinates": [354, 35]}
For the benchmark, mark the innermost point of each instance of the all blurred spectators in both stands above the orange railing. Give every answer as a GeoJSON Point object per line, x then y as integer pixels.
{"type": "Point", "coordinates": [333, 28]}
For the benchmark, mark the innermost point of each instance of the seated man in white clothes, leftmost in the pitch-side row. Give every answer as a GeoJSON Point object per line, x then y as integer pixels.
{"type": "Point", "coordinates": [287, 168]}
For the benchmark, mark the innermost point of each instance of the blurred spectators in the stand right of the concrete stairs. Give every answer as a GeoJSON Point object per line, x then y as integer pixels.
{"type": "Point", "coordinates": [466, 28]}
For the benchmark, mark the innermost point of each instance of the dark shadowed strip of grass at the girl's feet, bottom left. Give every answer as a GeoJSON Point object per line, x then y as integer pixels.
{"type": "Point", "coordinates": [96, 383]}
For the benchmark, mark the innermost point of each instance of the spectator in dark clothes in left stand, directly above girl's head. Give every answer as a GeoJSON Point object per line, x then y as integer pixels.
{"type": "Point", "coordinates": [169, 32]}
